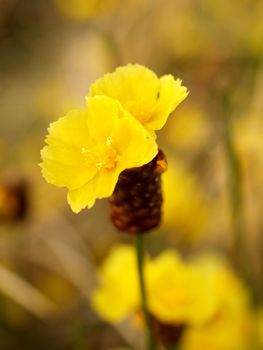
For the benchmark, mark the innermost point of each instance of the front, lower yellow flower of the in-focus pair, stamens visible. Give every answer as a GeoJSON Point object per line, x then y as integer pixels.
{"type": "Point", "coordinates": [87, 150]}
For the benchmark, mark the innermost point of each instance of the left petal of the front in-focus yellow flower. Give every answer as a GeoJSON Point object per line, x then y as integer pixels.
{"type": "Point", "coordinates": [63, 162]}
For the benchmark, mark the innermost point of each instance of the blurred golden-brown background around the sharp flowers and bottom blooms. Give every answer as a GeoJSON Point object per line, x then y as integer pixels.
{"type": "Point", "coordinates": [50, 52]}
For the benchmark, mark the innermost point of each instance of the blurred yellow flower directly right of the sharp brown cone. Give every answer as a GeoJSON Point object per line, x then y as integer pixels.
{"type": "Point", "coordinates": [185, 209]}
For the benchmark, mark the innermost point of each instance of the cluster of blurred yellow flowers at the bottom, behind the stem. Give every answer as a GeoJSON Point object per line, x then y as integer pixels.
{"type": "Point", "coordinates": [202, 295]}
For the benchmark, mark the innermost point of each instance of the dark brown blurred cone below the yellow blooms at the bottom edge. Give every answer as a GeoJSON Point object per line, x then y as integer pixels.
{"type": "Point", "coordinates": [166, 333]}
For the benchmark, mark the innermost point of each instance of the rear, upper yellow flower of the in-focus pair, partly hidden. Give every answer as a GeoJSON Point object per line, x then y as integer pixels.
{"type": "Point", "coordinates": [145, 96]}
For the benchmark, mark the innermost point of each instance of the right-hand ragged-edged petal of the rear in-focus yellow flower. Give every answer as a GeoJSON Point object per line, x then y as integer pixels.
{"type": "Point", "coordinates": [171, 93]}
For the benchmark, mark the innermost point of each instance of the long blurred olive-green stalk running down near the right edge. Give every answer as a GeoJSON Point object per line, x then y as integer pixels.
{"type": "Point", "coordinates": [243, 254]}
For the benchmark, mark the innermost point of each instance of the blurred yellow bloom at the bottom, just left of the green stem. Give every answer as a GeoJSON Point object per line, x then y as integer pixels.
{"type": "Point", "coordinates": [117, 295]}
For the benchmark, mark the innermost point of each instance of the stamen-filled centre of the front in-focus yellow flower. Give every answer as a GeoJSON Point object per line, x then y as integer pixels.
{"type": "Point", "coordinates": [103, 156]}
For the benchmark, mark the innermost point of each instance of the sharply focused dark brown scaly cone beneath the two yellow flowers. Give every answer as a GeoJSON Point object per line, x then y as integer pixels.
{"type": "Point", "coordinates": [137, 199]}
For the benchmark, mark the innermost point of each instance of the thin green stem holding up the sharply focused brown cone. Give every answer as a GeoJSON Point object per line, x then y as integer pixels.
{"type": "Point", "coordinates": [139, 242]}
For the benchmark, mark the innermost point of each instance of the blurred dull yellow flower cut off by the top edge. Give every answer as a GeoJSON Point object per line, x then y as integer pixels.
{"type": "Point", "coordinates": [82, 10]}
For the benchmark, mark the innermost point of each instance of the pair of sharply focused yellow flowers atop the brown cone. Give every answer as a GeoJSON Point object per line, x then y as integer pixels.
{"type": "Point", "coordinates": [88, 149]}
